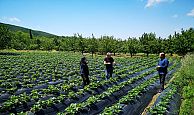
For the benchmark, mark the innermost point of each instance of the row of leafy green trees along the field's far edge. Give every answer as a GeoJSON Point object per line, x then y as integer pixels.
{"type": "Point", "coordinates": [180, 43]}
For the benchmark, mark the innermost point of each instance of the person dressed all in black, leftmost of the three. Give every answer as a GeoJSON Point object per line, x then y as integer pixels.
{"type": "Point", "coordinates": [84, 71]}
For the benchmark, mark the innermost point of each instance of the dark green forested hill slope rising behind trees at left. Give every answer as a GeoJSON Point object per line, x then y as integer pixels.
{"type": "Point", "coordinates": [26, 30]}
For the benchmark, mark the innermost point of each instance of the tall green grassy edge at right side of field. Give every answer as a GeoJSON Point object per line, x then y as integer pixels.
{"type": "Point", "coordinates": [185, 79]}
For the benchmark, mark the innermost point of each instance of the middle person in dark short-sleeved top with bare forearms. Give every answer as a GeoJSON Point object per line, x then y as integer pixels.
{"type": "Point", "coordinates": [109, 61]}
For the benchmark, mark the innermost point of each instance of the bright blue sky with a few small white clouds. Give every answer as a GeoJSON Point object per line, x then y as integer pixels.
{"type": "Point", "coordinates": [120, 18]}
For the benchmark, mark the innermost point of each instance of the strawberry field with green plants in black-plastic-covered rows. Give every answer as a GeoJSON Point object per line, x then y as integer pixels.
{"type": "Point", "coordinates": [49, 83]}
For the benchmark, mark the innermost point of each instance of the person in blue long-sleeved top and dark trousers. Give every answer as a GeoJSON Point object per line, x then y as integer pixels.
{"type": "Point", "coordinates": [162, 70]}
